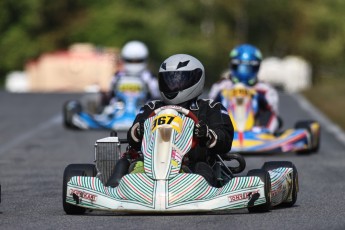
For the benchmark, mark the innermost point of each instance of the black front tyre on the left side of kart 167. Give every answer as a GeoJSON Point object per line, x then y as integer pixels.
{"type": "Point", "coordinates": [70, 171]}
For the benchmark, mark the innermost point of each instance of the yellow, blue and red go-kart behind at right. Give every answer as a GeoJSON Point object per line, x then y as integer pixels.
{"type": "Point", "coordinates": [242, 105]}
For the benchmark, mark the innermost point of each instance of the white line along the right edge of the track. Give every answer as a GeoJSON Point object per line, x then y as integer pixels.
{"type": "Point", "coordinates": [326, 123]}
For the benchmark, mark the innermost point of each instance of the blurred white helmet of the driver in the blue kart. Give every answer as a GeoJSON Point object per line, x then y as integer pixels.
{"type": "Point", "coordinates": [134, 55]}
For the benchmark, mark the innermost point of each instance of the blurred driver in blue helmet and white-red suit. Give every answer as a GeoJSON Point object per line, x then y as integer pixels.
{"type": "Point", "coordinates": [245, 61]}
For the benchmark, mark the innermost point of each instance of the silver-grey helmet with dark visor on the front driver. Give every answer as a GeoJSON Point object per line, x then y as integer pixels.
{"type": "Point", "coordinates": [181, 78]}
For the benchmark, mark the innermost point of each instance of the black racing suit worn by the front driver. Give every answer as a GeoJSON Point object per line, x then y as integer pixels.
{"type": "Point", "coordinates": [212, 113]}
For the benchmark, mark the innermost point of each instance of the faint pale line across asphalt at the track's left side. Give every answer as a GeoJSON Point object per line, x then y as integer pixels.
{"type": "Point", "coordinates": [25, 136]}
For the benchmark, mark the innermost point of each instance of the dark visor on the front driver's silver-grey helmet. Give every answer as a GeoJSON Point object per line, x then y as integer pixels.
{"type": "Point", "coordinates": [175, 81]}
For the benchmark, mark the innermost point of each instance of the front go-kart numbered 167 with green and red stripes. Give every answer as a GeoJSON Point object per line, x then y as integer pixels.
{"type": "Point", "coordinates": [163, 186]}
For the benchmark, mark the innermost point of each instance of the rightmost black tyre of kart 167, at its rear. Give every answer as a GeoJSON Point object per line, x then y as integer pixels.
{"type": "Point", "coordinates": [271, 165]}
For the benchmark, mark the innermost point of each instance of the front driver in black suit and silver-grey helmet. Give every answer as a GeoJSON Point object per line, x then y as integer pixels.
{"type": "Point", "coordinates": [181, 80]}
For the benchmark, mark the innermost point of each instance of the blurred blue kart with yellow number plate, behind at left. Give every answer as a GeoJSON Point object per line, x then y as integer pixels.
{"type": "Point", "coordinates": [130, 95]}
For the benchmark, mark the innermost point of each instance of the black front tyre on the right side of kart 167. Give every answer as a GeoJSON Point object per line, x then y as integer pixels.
{"type": "Point", "coordinates": [265, 177]}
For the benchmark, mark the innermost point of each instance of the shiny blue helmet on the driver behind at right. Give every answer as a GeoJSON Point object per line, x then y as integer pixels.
{"type": "Point", "coordinates": [245, 62]}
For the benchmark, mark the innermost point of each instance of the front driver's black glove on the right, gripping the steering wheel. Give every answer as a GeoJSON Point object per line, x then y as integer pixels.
{"type": "Point", "coordinates": [205, 135]}
